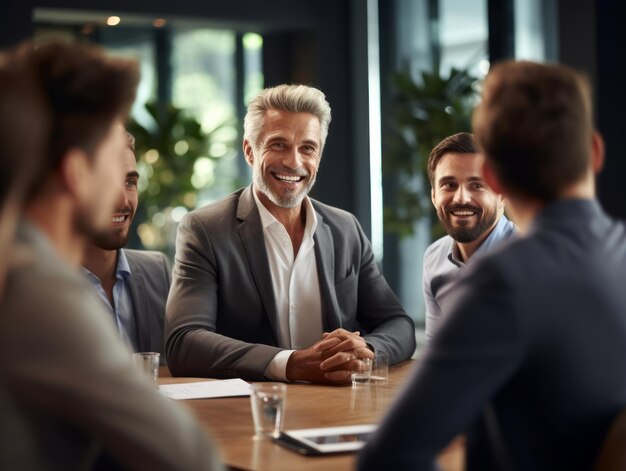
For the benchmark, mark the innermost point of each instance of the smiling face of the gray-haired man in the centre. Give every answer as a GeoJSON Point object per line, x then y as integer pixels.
{"type": "Point", "coordinates": [285, 161]}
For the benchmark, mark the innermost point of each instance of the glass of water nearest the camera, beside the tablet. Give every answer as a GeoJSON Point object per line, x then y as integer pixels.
{"type": "Point", "coordinates": [268, 408]}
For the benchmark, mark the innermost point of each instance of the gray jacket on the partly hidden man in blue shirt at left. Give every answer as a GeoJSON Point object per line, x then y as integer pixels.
{"type": "Point", "coordinates": [149, 285]}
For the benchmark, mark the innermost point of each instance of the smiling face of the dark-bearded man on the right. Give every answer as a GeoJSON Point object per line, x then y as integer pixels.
{"type": "Point", "coordinates": [467, 208]}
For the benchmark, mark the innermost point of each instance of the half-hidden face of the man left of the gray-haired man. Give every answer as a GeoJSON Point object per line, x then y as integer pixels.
{"type": "Point", "coordinates": [117, 235]}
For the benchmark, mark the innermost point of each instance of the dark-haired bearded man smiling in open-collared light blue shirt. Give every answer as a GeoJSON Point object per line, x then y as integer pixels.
{"type": "Point", "coordinates": [471, 213]}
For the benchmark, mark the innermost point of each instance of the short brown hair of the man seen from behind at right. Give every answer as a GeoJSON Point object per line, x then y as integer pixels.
{"type": "Point", "coordinates": [535, 125]}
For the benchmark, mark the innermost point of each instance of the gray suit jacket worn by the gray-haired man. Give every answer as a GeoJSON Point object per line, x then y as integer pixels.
{"type": "Point", "coordinates": [221, 315]}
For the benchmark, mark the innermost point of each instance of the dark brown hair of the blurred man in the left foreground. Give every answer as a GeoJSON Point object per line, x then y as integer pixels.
{"type": "Point", "coordinates": [84, 91]}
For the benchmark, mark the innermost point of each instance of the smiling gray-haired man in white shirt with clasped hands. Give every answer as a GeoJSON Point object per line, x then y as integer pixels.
{"type": "Point", "coordinates": [270, 284]}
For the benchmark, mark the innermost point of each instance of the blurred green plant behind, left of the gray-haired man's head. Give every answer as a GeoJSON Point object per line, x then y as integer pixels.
{"type": "Point", "coordinates": [175, 162]}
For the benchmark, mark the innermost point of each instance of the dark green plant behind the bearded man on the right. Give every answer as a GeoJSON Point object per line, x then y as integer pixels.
{"type": "Point", "coordinates": [424, 113]}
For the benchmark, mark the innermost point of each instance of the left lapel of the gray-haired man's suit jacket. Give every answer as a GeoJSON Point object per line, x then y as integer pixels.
{"type": "Point", "coordinates": [251, 233]}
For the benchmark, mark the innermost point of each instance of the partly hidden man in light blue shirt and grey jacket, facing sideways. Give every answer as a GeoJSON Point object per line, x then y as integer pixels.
{"type": "Point", "coordinates": [133, 284]}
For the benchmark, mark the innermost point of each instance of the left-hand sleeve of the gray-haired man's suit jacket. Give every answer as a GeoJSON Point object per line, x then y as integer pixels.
{"type": "Point", "coordinates": [193, 346]}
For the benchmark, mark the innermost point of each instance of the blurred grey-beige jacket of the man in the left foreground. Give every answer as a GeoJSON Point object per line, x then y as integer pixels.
{"type": "Point", "coordinates": [72, 379]}
